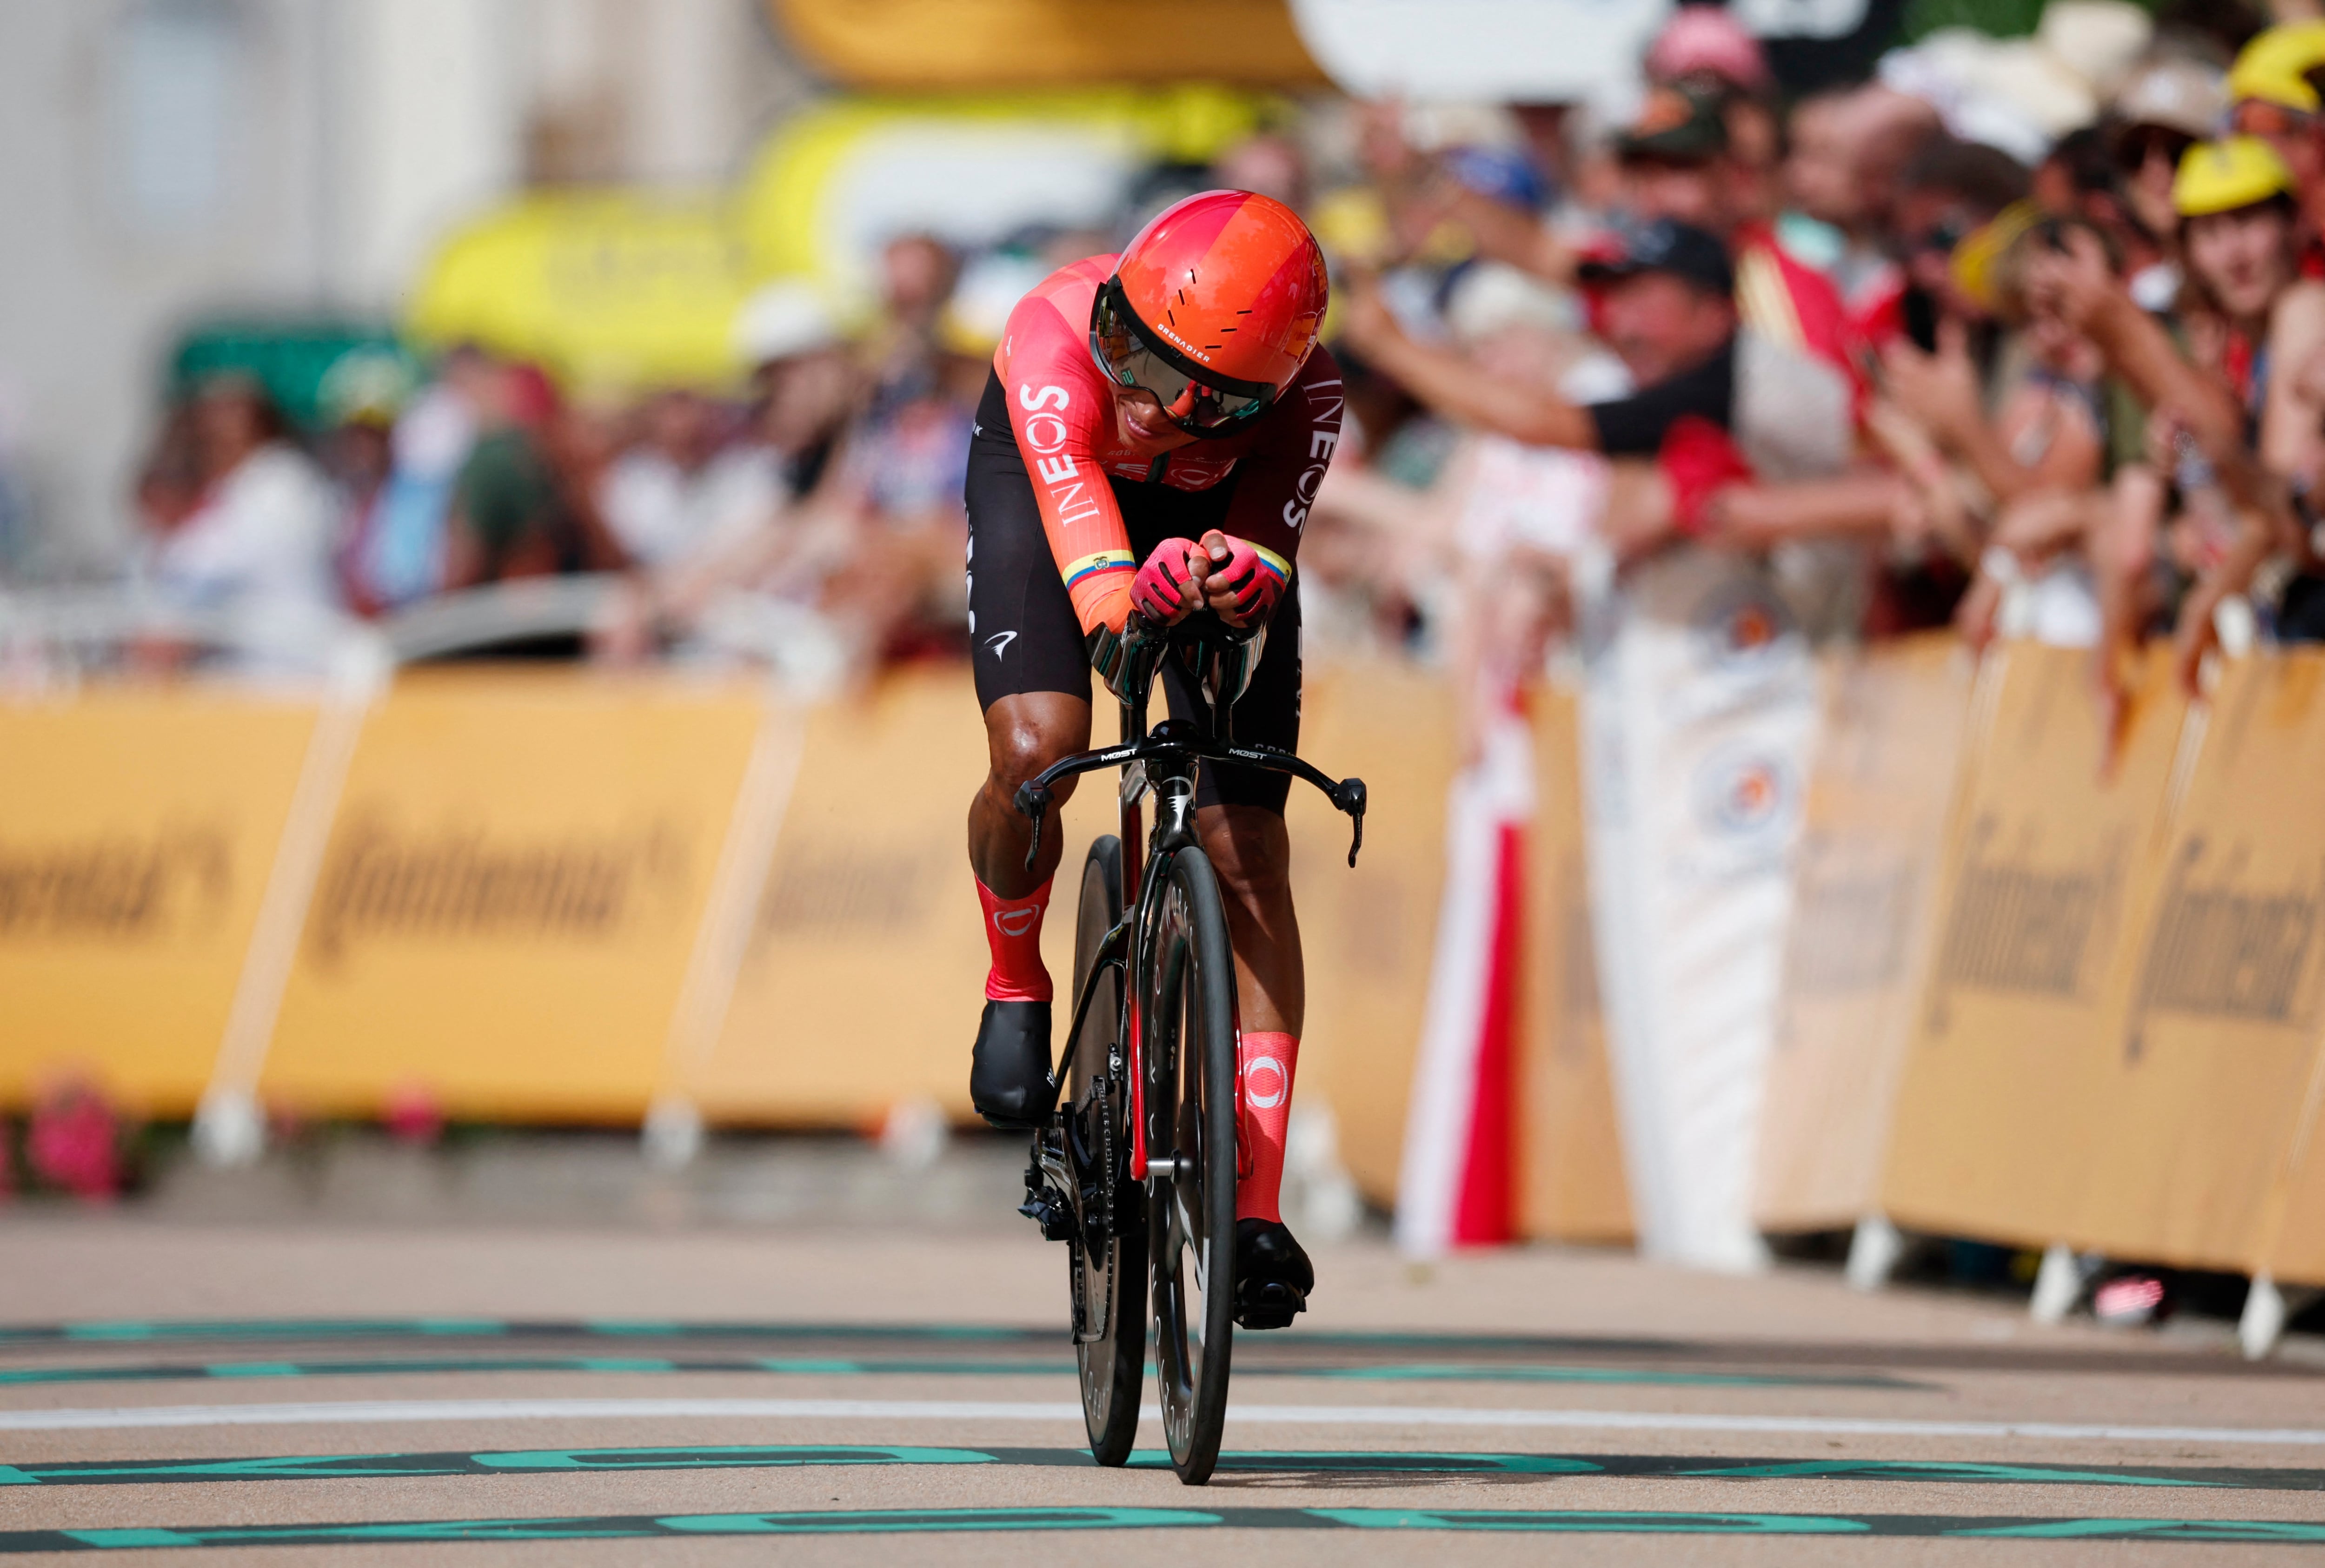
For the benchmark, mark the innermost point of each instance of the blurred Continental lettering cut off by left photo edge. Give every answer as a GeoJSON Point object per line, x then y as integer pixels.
{"type": "Point", "coordinates": [115, 889]}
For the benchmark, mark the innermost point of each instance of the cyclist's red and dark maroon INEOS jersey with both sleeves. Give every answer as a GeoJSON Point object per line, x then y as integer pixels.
{"type": "Point", "coordinates": [1061, 410]}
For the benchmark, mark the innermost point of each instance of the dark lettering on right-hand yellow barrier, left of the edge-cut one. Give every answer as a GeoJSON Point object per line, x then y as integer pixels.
{"type": "Point", "coordinates": [2022, 928]}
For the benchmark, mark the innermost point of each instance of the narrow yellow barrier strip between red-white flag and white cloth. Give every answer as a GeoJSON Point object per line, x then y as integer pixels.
{"type": "Point", "coordinates": [1571, 1151]}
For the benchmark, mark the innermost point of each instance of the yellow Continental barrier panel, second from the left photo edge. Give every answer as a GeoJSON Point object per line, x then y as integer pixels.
{"type": "Point", "coordinates": [513, 896]}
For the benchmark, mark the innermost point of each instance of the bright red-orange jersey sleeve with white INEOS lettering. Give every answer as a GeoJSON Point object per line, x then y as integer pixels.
{"type": "Point", "coordinates": [1059, 412]}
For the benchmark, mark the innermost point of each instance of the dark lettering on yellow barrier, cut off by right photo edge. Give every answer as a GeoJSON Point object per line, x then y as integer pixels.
{"type": "Point", "coordinates": [2229, 951]}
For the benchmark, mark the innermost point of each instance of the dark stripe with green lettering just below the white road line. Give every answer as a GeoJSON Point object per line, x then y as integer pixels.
{"type": "Point", "coordinates": [1315, 1462]}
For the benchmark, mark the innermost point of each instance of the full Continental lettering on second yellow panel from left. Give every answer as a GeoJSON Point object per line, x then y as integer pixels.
{"type": "Point", "coordinates": [471, 884]}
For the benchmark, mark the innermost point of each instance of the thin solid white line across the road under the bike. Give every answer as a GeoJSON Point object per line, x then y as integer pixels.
{"type": "Point", "coordinates": [375, 1411]}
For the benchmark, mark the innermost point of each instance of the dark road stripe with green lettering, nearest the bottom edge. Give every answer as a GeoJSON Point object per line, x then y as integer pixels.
{"type": "Point", "coordinates": [954, 1520]}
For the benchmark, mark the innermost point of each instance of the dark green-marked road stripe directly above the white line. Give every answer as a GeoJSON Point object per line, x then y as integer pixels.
{"type": "Point", "coordinates": [917, 1367]}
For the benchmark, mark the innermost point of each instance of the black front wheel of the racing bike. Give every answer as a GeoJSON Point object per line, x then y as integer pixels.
{"type": "Point", "coordinates": [1189, 1051]}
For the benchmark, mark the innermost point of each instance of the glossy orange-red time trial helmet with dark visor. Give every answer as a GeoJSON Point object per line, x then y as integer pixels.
{"type": "Point", "coordinates": [1212, 308]}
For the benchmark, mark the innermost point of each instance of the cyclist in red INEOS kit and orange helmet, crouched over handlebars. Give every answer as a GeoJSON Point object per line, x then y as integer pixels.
{"type": "Point", "coordinates": [1152, 438]}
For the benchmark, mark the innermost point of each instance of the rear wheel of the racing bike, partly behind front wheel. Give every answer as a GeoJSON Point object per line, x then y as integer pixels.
{"type": "Point", "coordinates": [1108, 1258]}
